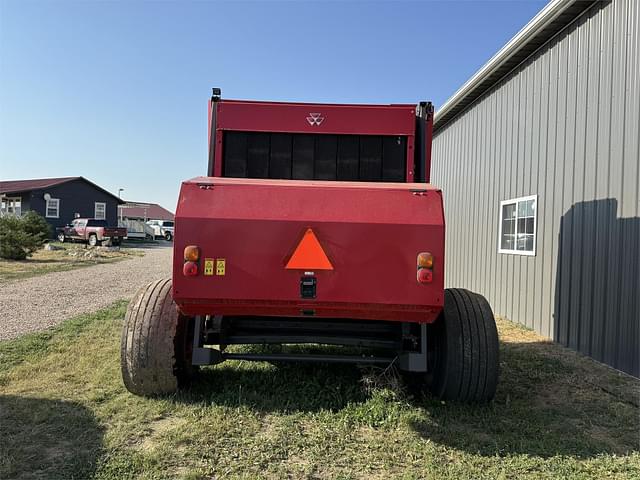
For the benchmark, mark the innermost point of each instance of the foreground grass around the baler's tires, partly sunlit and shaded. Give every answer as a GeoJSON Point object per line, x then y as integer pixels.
{"type": "Point", "coordinates": [64, 413]}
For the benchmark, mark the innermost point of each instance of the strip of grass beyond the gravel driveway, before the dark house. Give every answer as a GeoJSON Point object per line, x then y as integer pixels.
{"type": "Point", "coordinates": [47, 261]}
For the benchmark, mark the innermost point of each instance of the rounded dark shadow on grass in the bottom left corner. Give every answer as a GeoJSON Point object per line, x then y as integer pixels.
{"type": "Point", "coordinates": [52, 439]}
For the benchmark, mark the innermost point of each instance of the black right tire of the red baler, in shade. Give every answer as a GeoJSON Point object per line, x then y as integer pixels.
{"type": "Point", "coordinates": [466, 357]}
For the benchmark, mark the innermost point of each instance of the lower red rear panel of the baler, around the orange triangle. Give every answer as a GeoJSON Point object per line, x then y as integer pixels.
{"type": "Point", "coordinates": [371, 232]}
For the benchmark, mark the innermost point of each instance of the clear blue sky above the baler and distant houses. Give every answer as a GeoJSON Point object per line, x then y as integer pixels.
{"type": "Point", "coordinates": [117, 91]}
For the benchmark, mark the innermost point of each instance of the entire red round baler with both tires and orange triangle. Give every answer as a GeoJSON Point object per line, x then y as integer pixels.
{"type": "Point", "coordinates": [315, 224]}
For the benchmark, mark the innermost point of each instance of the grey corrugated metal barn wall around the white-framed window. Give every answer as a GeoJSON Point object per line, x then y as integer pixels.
{"type": "Point", "coordinates": [565, 126]}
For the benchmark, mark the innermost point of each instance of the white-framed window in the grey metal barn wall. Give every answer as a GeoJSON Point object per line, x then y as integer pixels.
{"type": "Point", "coordinates": [518, 225]}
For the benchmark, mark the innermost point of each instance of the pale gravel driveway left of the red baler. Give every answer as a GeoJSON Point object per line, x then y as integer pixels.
{"type": "Point", "coordinates": [40, 302]}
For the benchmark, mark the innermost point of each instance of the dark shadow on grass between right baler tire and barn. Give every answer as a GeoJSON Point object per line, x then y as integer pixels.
{"type": "Point", "coordinates": [550, 402]}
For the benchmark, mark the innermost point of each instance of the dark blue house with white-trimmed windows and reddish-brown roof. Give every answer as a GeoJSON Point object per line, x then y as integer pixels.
{"type": "Point", "coordinates": [59, 200]}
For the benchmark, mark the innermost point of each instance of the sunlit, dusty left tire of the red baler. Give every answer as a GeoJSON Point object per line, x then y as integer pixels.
{"type": "Point", "coordinates": [157, 343]}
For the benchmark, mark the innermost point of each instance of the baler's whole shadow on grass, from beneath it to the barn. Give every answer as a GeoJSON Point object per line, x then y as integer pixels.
{"type": "Point", "coordinates": [550, 401]}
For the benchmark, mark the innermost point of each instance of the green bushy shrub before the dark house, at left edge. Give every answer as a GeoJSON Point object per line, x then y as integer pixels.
{"type": "Point", "coordinates": [21, 236]}
